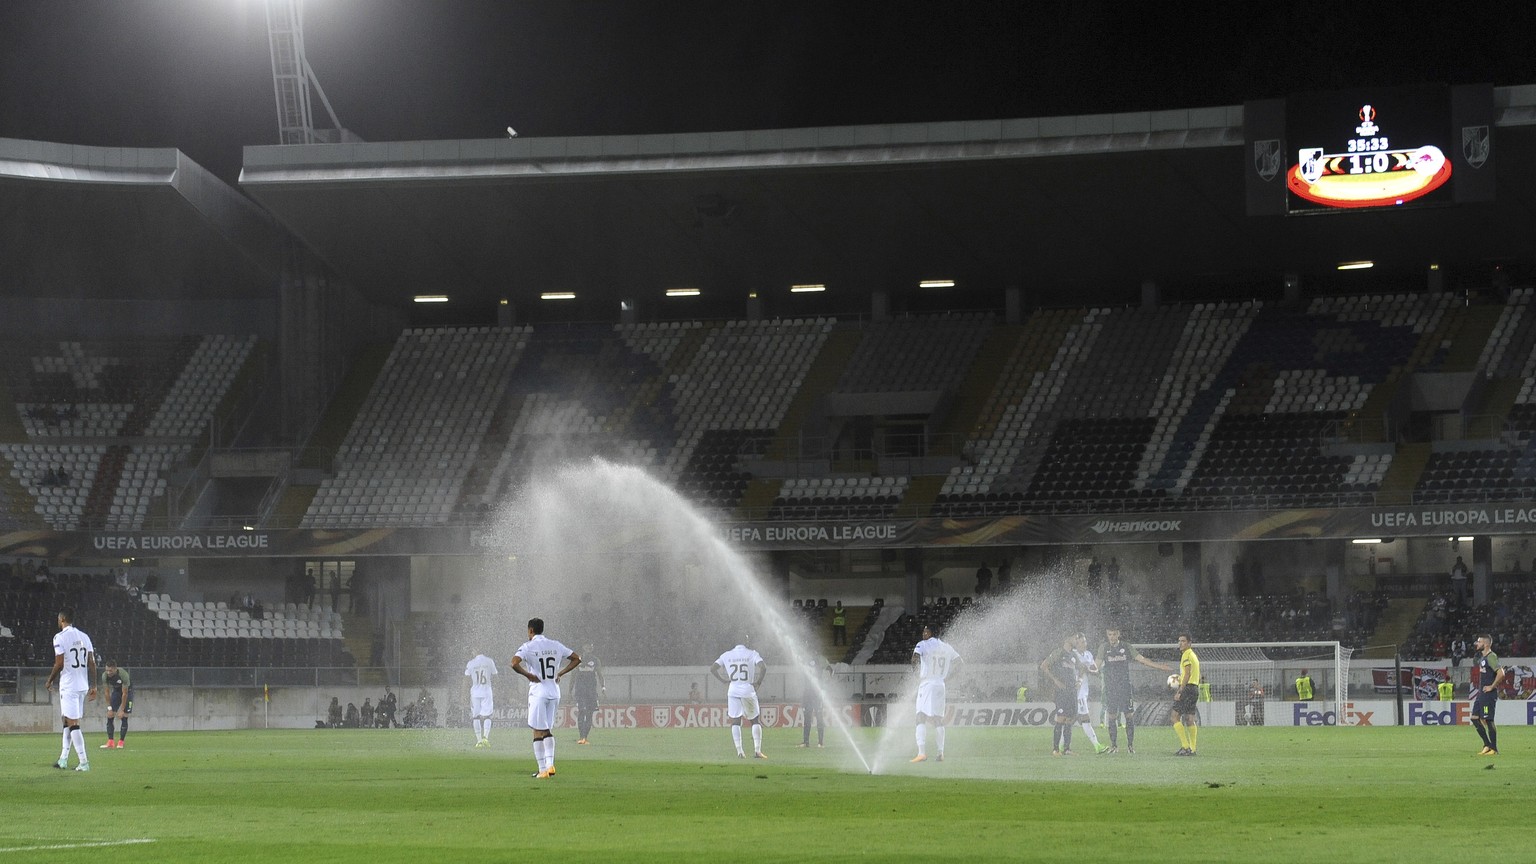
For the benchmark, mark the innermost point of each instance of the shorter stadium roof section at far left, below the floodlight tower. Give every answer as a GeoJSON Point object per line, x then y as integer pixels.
{"type": "Point", "coordinates": [110, 224]}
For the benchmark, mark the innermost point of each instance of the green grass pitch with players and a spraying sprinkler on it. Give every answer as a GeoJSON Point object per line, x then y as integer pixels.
{"type": "Point", "coordinates": [681, 796]}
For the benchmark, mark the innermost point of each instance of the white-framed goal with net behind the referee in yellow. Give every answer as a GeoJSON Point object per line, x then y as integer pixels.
{"type": "Point", "coordinates": [1246, 680]}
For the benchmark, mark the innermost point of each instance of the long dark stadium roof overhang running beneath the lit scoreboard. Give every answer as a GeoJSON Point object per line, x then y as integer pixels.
{"type": "Point", "coordinates": [1070, 210]}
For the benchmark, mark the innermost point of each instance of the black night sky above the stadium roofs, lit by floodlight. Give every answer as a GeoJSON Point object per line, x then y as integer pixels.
{"type": "Point", "coordinates": [197, 76]}
